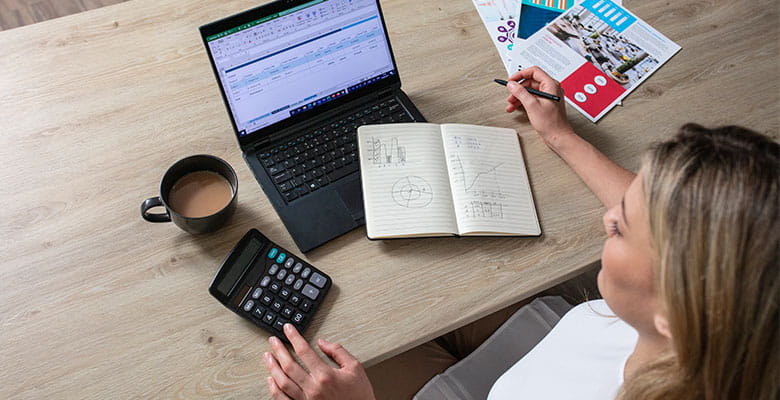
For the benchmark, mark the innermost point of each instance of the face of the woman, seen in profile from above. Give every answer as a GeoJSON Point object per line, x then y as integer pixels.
{"type": "Point", "coordinates": [626, 276]}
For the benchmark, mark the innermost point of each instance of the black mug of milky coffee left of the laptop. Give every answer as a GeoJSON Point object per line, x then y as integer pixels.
{"type": "Point", "coordinates": [198, 194]}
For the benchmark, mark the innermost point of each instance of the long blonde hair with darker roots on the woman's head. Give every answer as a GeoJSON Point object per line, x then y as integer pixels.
{"type": "Point", "coordinates": [713, 211]}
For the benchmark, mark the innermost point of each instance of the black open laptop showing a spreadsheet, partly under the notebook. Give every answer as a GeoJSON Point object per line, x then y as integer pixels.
{"type": "Point", "coordinates": [298, 78]}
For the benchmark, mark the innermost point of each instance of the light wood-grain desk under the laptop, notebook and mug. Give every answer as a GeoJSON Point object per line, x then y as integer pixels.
{"type": "Point", "coordinates": [97, 303]}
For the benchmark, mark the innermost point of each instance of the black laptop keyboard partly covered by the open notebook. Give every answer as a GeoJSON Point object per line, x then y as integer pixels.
{"type": "Point", "coordinates": [316, 159]}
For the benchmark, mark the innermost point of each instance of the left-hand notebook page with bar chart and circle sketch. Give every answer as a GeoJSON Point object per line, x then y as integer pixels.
{"type": "Point", "coordinates": [406, 190]}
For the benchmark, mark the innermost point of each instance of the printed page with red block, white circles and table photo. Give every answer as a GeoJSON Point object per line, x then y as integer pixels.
{"type": "Point", "coordinates": [599, 51]}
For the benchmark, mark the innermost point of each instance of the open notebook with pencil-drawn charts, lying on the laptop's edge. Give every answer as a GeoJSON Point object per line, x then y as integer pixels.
{"type": "Point", "coordinates": [424, 180]}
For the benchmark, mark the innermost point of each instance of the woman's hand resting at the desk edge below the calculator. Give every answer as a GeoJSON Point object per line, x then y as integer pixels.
{"type": "Point", "coordinates": [289, 380]}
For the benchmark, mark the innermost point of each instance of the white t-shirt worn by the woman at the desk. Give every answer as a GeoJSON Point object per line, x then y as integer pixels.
{"type": "Point", "coordinates": [581, 358]}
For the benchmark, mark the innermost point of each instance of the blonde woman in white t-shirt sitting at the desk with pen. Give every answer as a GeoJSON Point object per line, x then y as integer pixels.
{"type": "Point", "coordinates": [690, 264]}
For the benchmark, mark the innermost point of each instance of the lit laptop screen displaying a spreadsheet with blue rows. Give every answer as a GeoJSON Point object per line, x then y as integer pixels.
{"type": "Point", "coordinates": [295, 60]}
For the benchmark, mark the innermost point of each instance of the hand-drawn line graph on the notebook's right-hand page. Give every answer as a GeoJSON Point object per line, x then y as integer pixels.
{"type": "Point", "coordinates": [481, 180]}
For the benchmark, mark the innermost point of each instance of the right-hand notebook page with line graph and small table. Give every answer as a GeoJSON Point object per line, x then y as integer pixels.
{"type": "Point", "coordinates": [490, 188]}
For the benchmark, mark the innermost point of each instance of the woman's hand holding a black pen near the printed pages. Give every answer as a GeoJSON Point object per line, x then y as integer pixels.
{"type": "Point", "coordinates": [548, 117]}
